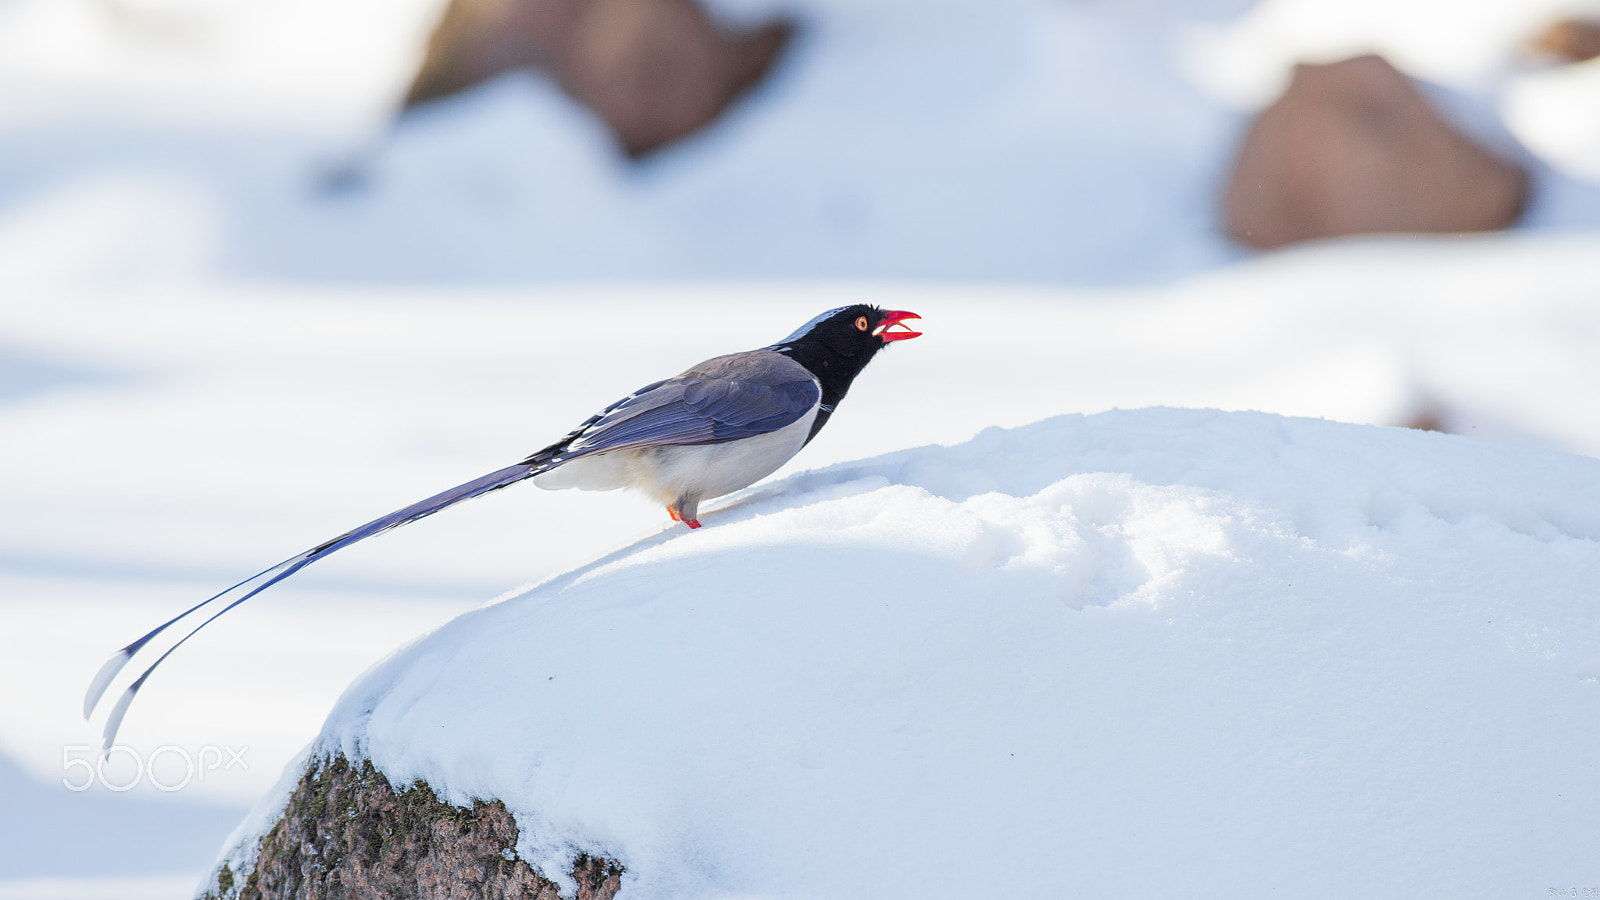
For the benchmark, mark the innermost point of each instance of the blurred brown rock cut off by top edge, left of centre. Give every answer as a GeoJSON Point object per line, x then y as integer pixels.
{"type": "Point", "coordinates": [652, 70]}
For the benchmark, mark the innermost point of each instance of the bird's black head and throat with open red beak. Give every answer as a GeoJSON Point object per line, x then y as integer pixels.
{"type": "Point", "coordinates": [839, 344]}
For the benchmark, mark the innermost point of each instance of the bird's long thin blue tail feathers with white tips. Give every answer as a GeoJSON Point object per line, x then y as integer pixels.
{"type": "Point", "coordinates": [279, 573]}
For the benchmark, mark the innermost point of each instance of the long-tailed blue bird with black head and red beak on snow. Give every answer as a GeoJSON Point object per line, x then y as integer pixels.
{"type": "Point", "coordinates": [716, 428]}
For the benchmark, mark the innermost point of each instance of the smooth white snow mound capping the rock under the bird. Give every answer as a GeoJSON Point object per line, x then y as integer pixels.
{"type": "Point", "coordinates": [1138, 654]}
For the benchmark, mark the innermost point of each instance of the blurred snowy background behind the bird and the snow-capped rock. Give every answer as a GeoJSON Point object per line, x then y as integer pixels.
{"type": "Point", "coordinates": [210, 360]}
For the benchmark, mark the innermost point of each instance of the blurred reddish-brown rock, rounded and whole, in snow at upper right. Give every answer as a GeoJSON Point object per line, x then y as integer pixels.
{"type": "Point", "coordinates": [1353, 148]}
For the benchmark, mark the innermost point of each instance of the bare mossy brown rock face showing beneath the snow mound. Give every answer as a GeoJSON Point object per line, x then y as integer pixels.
{"type": "Point", "coordinates": [348, 835]}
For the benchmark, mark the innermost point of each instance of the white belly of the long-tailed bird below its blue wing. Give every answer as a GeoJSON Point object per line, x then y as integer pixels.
{"type": "Point", "coordinates": [698, 472]}
